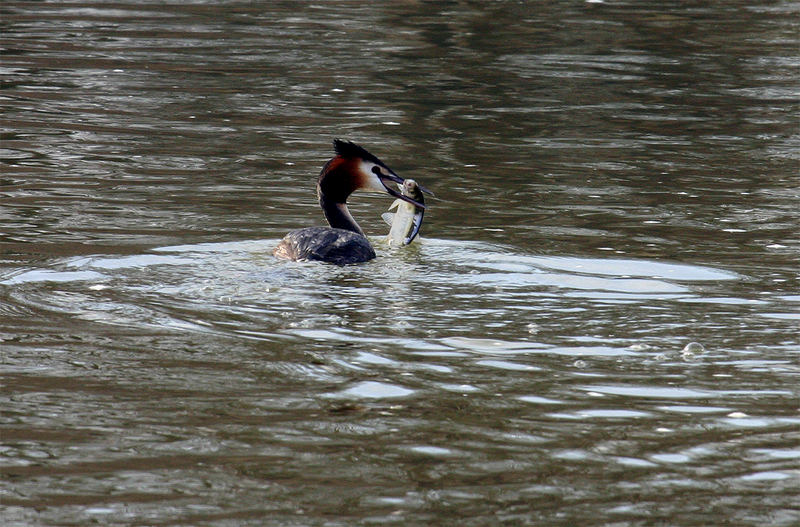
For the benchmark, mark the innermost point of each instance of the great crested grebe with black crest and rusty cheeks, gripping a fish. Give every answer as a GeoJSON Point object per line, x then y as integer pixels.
{"type": "Point", "coordinates": [343, 242]}
